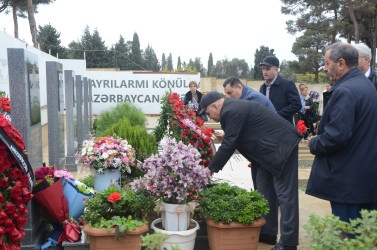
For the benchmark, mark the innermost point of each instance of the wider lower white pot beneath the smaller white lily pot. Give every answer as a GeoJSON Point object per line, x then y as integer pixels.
{"type": "Point", "coordinates": [184, 239]}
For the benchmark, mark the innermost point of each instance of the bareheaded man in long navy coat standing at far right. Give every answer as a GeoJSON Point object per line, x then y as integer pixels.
{"type": "Point", "coordinates": [344, 170]}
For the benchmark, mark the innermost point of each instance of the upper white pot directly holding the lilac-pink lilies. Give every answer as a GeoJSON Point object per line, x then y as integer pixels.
{"type": "Point", "coordinates": [175, 217]}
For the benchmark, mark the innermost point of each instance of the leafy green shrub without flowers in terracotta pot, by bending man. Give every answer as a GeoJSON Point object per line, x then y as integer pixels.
{"type": "Point", "coordinates": [235, 212]}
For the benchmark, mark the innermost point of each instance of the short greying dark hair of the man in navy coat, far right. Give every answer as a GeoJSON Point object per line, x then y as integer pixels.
{"type": "Point", "coordinates": [345, 51]}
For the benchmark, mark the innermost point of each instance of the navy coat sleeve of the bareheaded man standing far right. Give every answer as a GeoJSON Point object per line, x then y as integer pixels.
{"type": "Point", "coordinates": [339, 124]}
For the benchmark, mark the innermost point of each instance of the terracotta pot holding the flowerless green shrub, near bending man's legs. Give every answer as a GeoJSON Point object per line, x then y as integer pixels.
{"type": "Point", "coordinates": [234, 235]}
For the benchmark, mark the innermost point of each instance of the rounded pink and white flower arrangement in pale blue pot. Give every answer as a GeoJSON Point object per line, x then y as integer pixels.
{"type": "Point", "coordinates": [110, 157]}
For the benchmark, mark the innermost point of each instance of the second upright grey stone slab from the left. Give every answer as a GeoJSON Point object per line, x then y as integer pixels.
{"type": "Point", "coordinates": [55, 114]}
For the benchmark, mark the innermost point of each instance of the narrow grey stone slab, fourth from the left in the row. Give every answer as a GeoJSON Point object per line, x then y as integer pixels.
{"type": "Point", "coordinates": [79, 109]}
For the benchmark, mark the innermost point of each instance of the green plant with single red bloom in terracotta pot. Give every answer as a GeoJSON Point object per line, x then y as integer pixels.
{"type": "Point", "coordinates": [114, 218]}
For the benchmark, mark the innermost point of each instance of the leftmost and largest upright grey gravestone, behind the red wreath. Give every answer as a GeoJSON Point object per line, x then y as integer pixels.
{"type": "Point", "coordinates": [24, 93]}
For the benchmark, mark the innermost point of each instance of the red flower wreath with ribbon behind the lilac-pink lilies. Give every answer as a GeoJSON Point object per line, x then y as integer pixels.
{"type": "Point", "coordinates": [185, 126]}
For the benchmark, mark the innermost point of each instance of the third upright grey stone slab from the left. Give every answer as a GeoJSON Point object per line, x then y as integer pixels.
{"type": "Point", "coordinates": [69, 82]}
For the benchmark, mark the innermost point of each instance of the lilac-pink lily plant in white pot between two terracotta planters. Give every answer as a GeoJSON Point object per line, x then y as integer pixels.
{"type": "Point", "coordinates": [175, 179]}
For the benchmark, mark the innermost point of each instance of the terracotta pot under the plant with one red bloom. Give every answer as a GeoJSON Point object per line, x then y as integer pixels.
{"type": "Point", "coordinates": [102, 239]}
